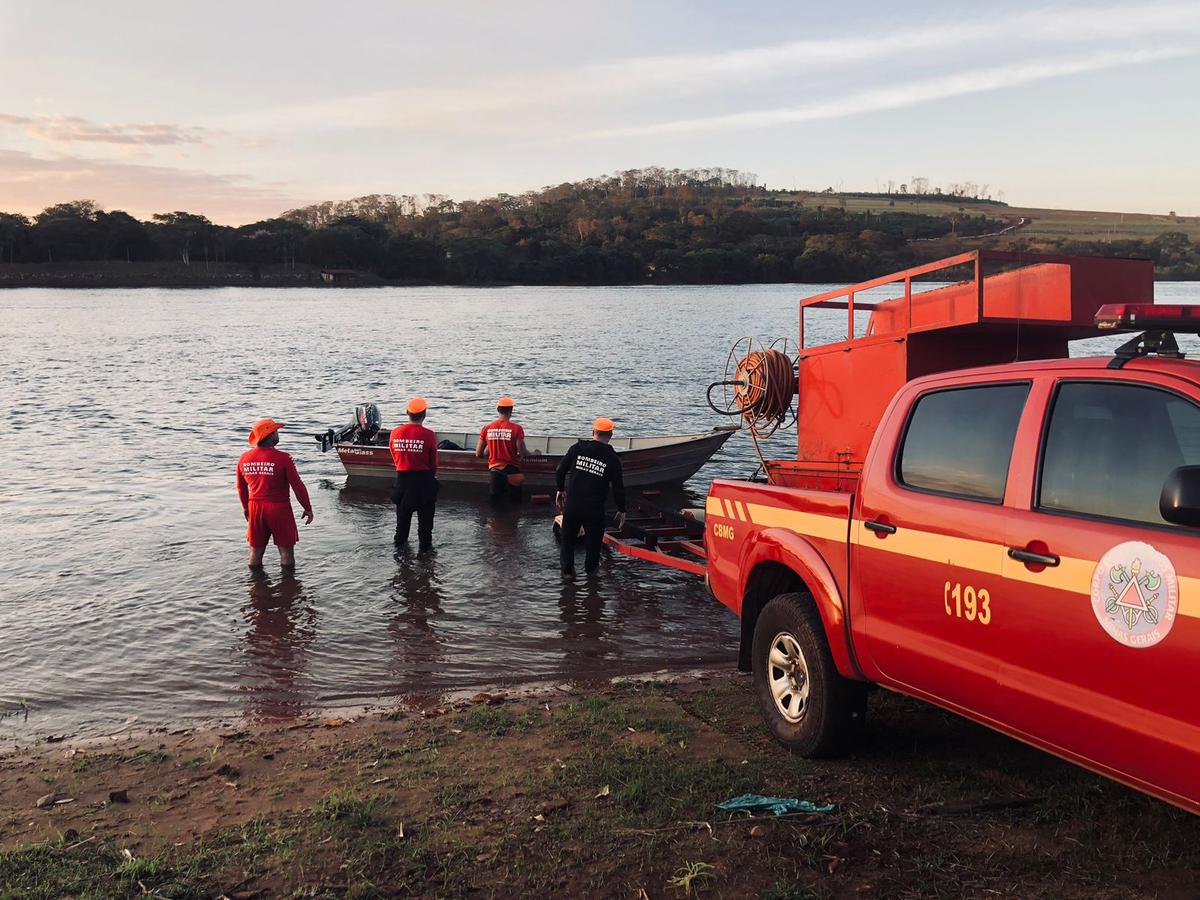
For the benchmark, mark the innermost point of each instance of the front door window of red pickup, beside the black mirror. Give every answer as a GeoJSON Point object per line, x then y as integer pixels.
{"type": "Point", "coordinates": [1109, 448]}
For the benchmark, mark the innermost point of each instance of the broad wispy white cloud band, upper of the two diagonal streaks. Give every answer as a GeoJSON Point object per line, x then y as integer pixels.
{"type": "Point", "coordinates": [649, 79]}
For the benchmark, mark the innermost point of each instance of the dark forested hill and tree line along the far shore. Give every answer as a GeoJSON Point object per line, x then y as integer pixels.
{"type": "Point", "coordinates": [643, 226]}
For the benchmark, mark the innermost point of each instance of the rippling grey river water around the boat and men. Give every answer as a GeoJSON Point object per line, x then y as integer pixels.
{"type": "Point", "coordinates": [125, 601]}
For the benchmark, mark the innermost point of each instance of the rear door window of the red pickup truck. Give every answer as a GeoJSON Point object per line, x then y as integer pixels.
{"type": "Point", "coordinates": [959, 441]}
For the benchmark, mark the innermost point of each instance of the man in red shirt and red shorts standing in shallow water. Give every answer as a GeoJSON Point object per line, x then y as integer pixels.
{"type": "Point", "coordinates": [265, 477]}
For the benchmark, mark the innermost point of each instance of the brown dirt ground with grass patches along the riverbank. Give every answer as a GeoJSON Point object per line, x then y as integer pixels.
{"type": "Point", "coordinates": [603, 793]}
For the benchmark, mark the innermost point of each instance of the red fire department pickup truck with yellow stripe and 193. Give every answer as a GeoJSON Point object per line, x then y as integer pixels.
{"type": "Point", "coordinates": [1017, 542]}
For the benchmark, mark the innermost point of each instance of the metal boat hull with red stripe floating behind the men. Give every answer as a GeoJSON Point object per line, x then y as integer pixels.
{"type": "Point", "coordinates": [668, 461]}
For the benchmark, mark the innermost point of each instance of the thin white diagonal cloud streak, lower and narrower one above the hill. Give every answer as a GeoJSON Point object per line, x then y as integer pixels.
{"type": "Point", "coordinates": [902, 95]}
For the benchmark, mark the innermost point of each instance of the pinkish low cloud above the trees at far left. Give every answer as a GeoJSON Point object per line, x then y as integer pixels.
{"type": "Point", "coordinates": [29, 184]}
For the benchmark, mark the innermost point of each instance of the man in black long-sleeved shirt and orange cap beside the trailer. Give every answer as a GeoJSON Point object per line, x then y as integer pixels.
{"type": "Point", "coordinates": [584, 478]}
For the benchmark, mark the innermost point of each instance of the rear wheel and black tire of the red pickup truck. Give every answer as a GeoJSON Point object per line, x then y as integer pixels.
{"type": "Point", "coordinates": [808, 705]}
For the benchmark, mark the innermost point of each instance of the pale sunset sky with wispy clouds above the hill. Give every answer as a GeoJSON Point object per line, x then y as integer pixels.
{"type": "Point", "coordinates": [239, 111]}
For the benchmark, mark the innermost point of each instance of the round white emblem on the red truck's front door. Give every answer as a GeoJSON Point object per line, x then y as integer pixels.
{"type": "Point", "coordinates": [1136, 595]}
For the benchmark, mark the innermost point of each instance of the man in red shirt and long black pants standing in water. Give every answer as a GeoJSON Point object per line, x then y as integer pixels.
{"type": "Point", "coordinates": [415, 449]}
